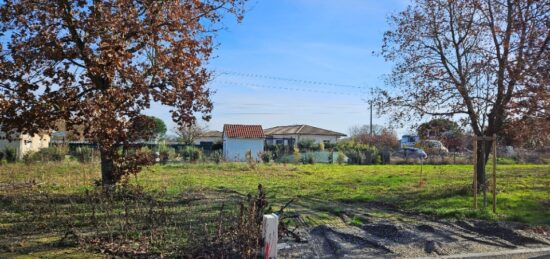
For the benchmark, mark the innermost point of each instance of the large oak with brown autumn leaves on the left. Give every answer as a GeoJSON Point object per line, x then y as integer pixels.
{"type": "Point", "coordinates": [98, 64]}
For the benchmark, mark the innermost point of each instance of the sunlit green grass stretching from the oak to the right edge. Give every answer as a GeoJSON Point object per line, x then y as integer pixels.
{"type": "Point", "coordinates": [442, 190]}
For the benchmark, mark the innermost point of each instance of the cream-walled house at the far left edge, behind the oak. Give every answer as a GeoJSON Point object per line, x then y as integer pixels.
{"type": "Point", "coordinates": [25, 143]}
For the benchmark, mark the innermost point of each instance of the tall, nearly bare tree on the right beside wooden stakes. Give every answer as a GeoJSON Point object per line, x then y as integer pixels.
{"type": "Point", "coordinates": [475, 59]}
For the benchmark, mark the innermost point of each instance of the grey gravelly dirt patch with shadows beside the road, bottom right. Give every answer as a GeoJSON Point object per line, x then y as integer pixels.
{"type": "Point", "coordinates": [407, 235]}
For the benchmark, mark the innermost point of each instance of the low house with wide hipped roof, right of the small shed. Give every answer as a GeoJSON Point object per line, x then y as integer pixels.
{"type": "Point", "coordinates": [292, 134]}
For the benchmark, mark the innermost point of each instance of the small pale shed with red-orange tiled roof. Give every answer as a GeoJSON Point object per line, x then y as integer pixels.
{"type": "Point", "coordinates": [239, 139]}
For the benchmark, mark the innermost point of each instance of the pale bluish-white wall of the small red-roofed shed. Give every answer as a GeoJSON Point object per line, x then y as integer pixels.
{"type": "Point", "coordinates": [234, 149]}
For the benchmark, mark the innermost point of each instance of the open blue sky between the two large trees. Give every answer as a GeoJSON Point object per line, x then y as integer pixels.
{"type": "Point", "coordinates": [299, 62]}
